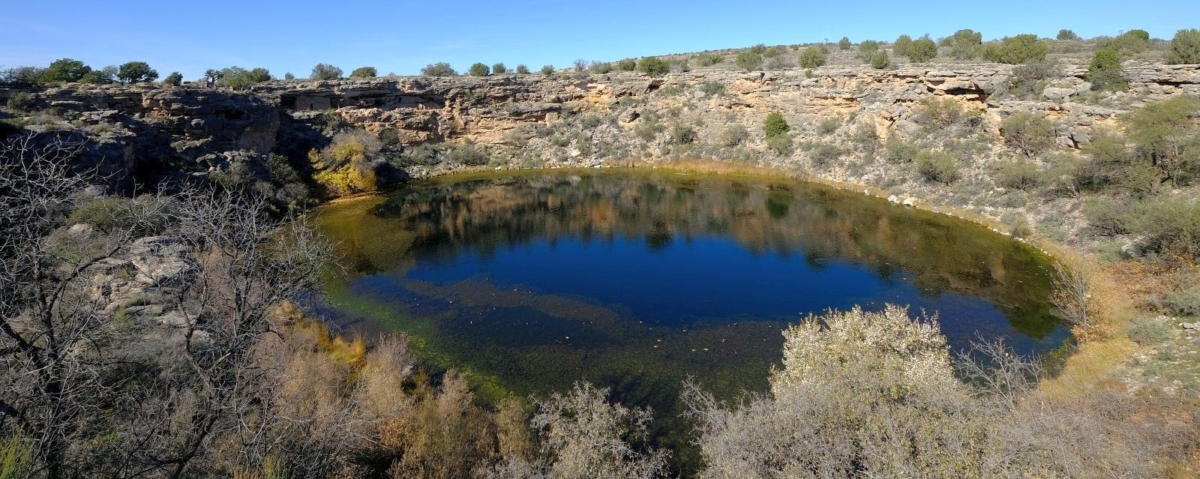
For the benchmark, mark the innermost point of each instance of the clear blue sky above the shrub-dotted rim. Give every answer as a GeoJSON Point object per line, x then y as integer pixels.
{"type": "Point", "coordinates": [403, 37]}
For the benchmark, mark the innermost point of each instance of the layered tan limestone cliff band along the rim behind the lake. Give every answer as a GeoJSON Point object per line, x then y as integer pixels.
{"type": "Point", "coordinates": [143, 130]}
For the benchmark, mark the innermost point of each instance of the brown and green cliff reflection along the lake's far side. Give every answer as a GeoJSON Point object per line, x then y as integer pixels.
{"type": "Point", "coordinates": [940, 254]}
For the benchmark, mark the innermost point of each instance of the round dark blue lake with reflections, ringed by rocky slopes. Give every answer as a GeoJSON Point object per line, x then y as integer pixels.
{"type": "Point", "coordinates": [635, 280]}
